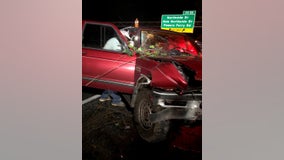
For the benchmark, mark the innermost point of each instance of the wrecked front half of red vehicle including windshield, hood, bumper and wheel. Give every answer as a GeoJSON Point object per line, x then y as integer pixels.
{"type": "Point", "coordinates": [168, 82]}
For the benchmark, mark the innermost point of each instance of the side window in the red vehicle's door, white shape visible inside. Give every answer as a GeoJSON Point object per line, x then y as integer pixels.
{"type": "Point", "coordinates": [101, 37]}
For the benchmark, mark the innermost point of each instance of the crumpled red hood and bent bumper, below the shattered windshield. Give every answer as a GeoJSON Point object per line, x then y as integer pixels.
{"type": "Point", "coordinates": [182, 98]}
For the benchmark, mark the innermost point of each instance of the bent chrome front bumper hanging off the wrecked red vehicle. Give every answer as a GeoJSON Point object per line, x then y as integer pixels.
{"type": "Point", "coordinates": [187, 106]}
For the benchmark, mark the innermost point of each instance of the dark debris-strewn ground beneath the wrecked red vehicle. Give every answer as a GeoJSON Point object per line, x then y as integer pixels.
{"type": "Point", "coordinates": [109, 134]}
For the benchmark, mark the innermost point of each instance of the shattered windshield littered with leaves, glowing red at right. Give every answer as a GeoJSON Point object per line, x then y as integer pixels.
{"type": "Point", "coordinates": [159, 43]}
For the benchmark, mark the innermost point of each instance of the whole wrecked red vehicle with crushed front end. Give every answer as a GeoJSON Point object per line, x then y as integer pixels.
{"type": "Point", "coordinates": [159, 72]}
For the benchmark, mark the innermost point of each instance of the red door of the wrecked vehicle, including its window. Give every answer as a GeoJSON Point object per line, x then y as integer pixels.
{"type": "Point", "coordinates": [106, 67]}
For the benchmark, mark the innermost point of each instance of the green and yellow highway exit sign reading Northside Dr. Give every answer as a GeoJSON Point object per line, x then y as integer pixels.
{"type": "Point", "coordinates": [179, 22]}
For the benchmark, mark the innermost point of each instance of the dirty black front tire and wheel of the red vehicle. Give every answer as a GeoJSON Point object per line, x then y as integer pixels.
{"type": "Point", "coordinates": [150, 132]}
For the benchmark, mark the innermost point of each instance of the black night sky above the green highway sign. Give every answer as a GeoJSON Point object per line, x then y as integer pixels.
{"type": "Point", "coordinates": [144, 10]}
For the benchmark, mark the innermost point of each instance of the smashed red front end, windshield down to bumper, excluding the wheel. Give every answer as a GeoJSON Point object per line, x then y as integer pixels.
{"type": "Point", "coordinates": [173, 67]}
